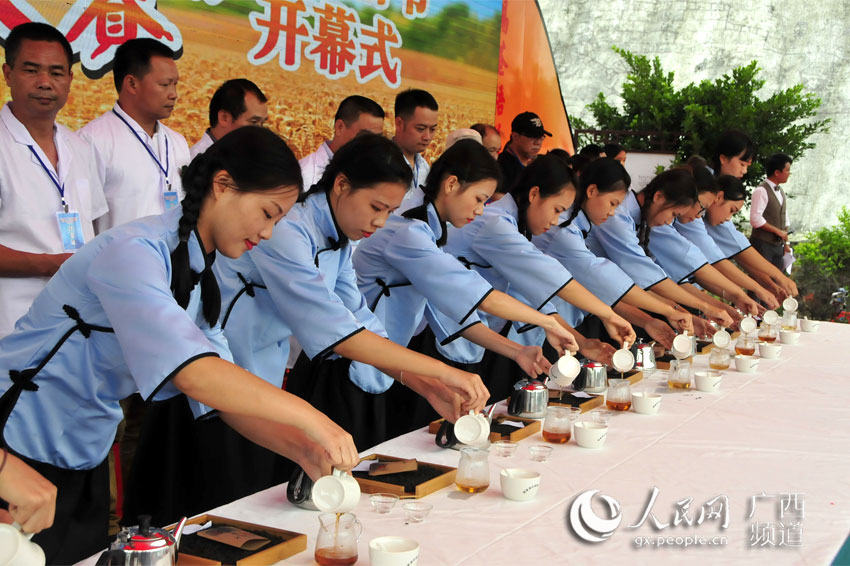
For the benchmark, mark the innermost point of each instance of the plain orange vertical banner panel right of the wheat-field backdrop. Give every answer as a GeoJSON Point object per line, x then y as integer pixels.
{"type": "Point", "coordinates": [528, 79]}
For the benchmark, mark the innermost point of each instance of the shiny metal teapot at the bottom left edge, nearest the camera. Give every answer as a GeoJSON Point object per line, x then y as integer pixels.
{"type": "Point", "coordinates": [144, 545]}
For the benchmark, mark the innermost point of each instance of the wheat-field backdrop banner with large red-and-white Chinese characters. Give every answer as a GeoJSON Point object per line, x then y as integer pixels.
{"type": "Point", "coordinates": [306, 55]}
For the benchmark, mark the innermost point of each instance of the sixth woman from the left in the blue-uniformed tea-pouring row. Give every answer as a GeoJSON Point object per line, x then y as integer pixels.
{"type": "Point", "coordinates": [624, 238]}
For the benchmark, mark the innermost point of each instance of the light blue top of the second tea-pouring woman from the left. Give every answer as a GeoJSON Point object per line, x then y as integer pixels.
{"type": "Point", "coordinates": [299, 282]}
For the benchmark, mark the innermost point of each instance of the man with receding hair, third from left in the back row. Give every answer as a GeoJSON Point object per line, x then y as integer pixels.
{"type": "Point", "coordinates": [236, 103]}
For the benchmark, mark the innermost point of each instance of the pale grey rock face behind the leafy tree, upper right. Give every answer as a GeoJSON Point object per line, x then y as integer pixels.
{"type": "Point", "coordinates": [794, 42]}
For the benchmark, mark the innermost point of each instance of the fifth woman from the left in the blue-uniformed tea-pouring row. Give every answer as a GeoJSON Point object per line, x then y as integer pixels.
{"type": "Point", "coordinates": [603, 186]}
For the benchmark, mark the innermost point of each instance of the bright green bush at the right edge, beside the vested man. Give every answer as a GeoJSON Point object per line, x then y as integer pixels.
{"type": "Point", "coordinates": [823, 265]}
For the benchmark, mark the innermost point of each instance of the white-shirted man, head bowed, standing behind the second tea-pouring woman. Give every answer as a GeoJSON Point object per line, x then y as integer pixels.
{"type": "Point", "coordinates": [355, 114]}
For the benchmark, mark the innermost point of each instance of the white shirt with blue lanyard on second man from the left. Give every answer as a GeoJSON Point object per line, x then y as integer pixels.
{"type": "Point", "coordinates": [134, 182]}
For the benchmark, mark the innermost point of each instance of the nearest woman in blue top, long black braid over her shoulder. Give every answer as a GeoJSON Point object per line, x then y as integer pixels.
{"type": "Point", "coordinates": [125, 314]}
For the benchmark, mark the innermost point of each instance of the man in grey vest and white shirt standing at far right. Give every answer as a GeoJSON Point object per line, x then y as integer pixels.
{"type": "Point", "coordinates": [768, 211]}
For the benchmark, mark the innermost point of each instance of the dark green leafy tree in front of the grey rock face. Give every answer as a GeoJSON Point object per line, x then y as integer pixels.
{"type": "Point", "coordinates": [700, 112]}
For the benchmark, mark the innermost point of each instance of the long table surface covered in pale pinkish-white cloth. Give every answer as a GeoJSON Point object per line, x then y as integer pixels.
{"type": "Point", "coordinates": [770, 453]}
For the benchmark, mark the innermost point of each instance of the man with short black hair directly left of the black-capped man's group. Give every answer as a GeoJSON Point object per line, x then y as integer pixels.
{"type": "Point", "coordinates": [415, 123]}
